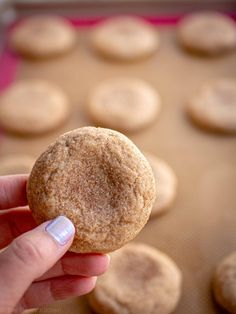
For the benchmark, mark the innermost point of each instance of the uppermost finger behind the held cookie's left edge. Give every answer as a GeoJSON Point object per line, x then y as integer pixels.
{"type": "Point", "coordinates": [13, 191]}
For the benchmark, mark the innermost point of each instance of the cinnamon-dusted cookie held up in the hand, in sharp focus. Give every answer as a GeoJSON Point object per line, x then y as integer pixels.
{"type": "Point", "coordinates": [100, 180]}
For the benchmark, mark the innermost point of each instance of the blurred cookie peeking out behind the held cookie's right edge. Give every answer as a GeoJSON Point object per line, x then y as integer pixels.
{"type": "Point", "coordinates": [166, 184]}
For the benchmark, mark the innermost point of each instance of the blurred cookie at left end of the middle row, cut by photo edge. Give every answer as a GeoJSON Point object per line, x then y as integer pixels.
{"type": "Point", "coordinates": [33, 107]}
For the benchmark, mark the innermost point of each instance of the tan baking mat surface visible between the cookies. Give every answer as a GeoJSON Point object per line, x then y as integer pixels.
{"type": "Point", "coordinates": [201, 226]}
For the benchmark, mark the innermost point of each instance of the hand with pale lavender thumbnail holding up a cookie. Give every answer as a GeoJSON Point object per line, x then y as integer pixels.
{"type": "Point", "coordinates": [34, 269]}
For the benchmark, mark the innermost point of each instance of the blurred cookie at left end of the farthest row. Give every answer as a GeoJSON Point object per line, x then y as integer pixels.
{"type": "Point", "coordinates": [43, 36]}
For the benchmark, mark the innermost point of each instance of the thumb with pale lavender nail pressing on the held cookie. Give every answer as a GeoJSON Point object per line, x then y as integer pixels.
{"type": "Point", "coordinates": [30, 255]}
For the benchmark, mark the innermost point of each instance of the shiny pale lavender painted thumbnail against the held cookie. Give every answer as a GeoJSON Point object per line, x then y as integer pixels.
{"type": "Point", "coordinates": [61, 229]}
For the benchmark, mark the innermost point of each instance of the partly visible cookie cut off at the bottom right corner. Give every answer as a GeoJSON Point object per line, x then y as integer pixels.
{"type": "Point", "coordinates": [224, 283]}
